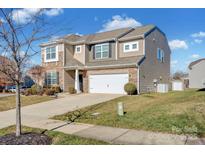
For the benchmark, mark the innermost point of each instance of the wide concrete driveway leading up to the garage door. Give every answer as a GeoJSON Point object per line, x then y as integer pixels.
{"type": "Point", "coordinates": [43, 111]}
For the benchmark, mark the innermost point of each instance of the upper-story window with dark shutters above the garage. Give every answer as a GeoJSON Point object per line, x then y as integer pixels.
{"type": "Point", "coordinates": [102, 51]}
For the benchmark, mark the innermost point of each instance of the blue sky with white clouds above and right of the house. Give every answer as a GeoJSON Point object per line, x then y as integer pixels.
{"type": "Point", "coordinates": [185, 28]}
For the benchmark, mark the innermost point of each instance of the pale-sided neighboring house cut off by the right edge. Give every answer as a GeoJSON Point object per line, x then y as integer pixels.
{"type": "Point", "coordinates": [197, 74]}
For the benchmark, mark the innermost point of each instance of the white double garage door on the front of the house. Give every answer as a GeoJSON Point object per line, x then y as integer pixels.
{"type": "Point", "coordinates": [109, 83]}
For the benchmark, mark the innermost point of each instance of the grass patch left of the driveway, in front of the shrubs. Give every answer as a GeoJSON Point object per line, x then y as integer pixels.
{"type": "Point", "coordinates": [7, 103]}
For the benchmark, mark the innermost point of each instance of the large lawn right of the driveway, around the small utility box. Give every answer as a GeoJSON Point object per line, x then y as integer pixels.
{"type": "Point", "coordinates": [173, 112]}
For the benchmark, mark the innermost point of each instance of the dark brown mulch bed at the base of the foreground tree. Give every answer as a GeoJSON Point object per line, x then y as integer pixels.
{"type": "Point", "coordinates": [25, 139]}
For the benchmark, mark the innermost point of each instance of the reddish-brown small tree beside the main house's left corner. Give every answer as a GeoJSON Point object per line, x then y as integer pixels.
{"type": "Point", "coordinates": [37, 74]}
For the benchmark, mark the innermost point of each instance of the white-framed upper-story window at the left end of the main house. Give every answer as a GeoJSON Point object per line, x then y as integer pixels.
{"type": "Point", "coordinates": [51, 54]}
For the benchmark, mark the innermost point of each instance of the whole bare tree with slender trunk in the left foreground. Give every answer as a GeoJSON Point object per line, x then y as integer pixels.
{"type": "Point", "coordinates": [17, 41]}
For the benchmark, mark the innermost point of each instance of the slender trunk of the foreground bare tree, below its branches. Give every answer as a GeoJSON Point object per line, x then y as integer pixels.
{"type": "Point", "coordinates": [18, 110]}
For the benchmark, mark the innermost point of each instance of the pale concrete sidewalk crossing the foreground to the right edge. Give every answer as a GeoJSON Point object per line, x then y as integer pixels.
{"type": "Point", "coordinates": [117, 135]}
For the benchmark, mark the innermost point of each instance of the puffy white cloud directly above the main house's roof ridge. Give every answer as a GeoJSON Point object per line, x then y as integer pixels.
{"type": "Point", "coordinates": [118, 21]}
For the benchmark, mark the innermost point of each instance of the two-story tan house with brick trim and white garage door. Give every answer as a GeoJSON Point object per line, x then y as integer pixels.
{"type": "Point", "coordinates": [104, 62]}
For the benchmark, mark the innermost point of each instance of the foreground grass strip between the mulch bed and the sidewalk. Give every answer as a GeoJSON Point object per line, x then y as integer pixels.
{"type": "Point", "coordinates": [58, 138]}
